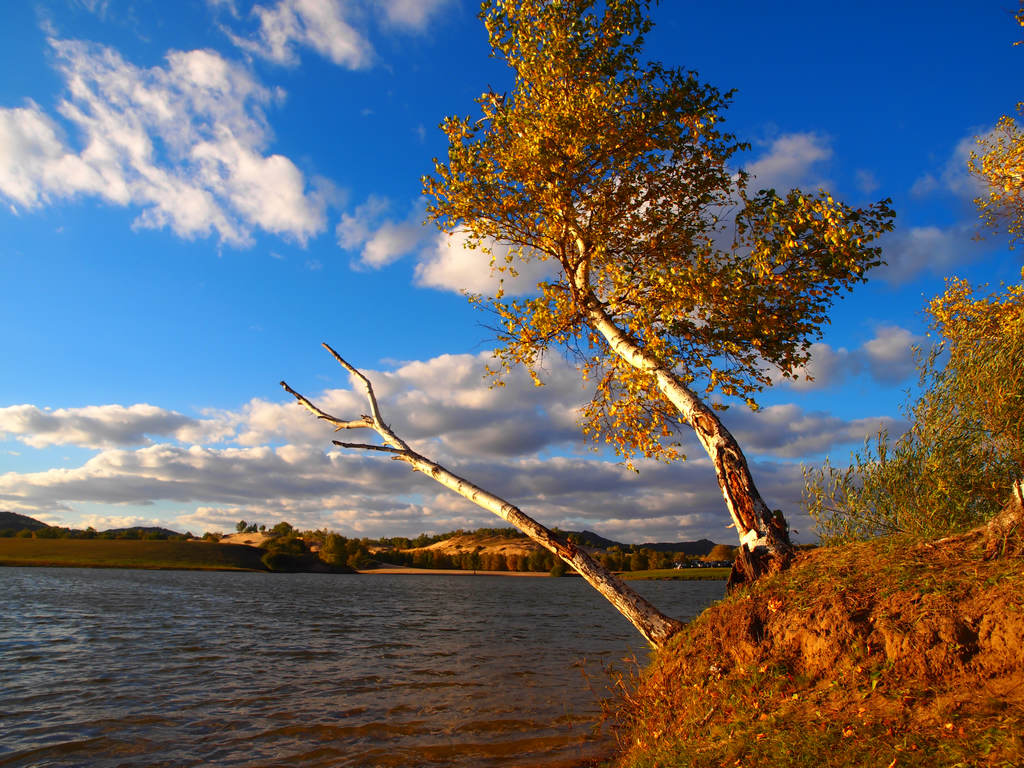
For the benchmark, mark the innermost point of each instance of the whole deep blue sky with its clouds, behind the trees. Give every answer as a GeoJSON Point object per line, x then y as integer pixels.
{"type": "Point", "coordinates": [194, 197]}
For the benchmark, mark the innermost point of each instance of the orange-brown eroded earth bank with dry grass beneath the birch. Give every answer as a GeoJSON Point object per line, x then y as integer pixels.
{"type": "Point", "coordinates": [886, 654]}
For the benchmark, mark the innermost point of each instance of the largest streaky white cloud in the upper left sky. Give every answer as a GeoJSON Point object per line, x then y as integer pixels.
{"type": "Point", "coordinates": [186, 143]}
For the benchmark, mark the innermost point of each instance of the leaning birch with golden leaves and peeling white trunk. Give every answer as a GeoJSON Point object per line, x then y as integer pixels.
{"type": "Point", "coordinates": [674, 285]}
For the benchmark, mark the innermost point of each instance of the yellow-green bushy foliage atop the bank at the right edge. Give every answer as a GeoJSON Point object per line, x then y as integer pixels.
{"type": "Point", "coordinates": [955, 466]}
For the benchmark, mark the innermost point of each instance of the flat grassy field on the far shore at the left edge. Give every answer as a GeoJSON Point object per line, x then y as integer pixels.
{"type": "Point", "coordinates": [120, 553]}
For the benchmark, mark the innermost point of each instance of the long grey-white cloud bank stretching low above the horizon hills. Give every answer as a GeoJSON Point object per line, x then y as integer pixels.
{"type": "Point", "coordinates": [274, 461]}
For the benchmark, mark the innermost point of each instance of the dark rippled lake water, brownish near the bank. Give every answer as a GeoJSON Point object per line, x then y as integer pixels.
{"type": "Point", "coordinates": [137, 668]}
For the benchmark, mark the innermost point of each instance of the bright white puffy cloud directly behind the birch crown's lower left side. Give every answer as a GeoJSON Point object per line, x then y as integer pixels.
{"type": "Point", "coordinates": [451, 266]}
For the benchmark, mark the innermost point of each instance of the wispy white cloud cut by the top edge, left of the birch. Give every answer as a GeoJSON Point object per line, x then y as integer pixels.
{"type": "Point", "coordinates": [323, 26]}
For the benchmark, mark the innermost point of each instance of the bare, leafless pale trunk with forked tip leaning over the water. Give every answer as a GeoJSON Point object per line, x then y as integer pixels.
{"type": "Point", "coordinates": [653, 624]}
